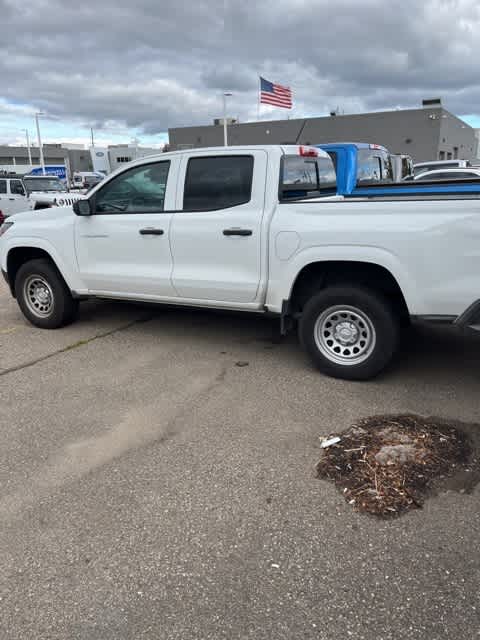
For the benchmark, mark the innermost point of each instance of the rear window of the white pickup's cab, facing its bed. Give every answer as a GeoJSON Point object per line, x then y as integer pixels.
{"type": "Point", "coordinates": [303, 176]}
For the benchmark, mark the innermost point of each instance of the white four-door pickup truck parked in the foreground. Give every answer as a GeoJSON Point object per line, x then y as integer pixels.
{"type": "Point", "coordinates": [251, 229]}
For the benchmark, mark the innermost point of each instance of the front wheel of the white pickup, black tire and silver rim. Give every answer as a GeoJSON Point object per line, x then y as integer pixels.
{"type": "Point", "coordinates": [59, 308]}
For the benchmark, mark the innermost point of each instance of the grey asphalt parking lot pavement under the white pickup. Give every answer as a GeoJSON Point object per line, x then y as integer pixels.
{"type": "Point", "coordinates": [152, 488]}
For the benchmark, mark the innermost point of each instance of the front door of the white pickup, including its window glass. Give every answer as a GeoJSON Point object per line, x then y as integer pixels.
{"type": "Point", "coordinates": [123, 248]}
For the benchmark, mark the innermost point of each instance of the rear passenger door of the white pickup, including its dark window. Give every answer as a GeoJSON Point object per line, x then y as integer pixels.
{"type": "Point", "coordinates": [215, 233]}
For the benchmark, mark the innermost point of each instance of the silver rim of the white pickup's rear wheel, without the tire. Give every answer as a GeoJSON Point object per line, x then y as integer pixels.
{"type": "Point", "coordinates": [345, 335]}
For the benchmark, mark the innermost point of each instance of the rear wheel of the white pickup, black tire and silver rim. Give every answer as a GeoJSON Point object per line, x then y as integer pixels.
{"type": "Point", "coordinates": [368, 319]}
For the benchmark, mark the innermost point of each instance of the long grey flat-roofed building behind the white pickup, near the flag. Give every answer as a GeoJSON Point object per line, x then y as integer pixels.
{"type": "Point", "coordinates": [428, 133]}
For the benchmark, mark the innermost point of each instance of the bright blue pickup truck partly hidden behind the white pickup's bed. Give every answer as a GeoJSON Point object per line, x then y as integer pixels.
{"type": "Point", "coordinates": [367, 170]}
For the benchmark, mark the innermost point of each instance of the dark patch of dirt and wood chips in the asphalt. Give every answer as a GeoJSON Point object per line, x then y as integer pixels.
{"type": "Point", "coordinates": [387, 465]}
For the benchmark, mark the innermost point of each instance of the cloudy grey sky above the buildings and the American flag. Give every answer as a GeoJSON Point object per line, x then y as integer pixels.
{"type": "Point", "coordinates": [136, 68]}
